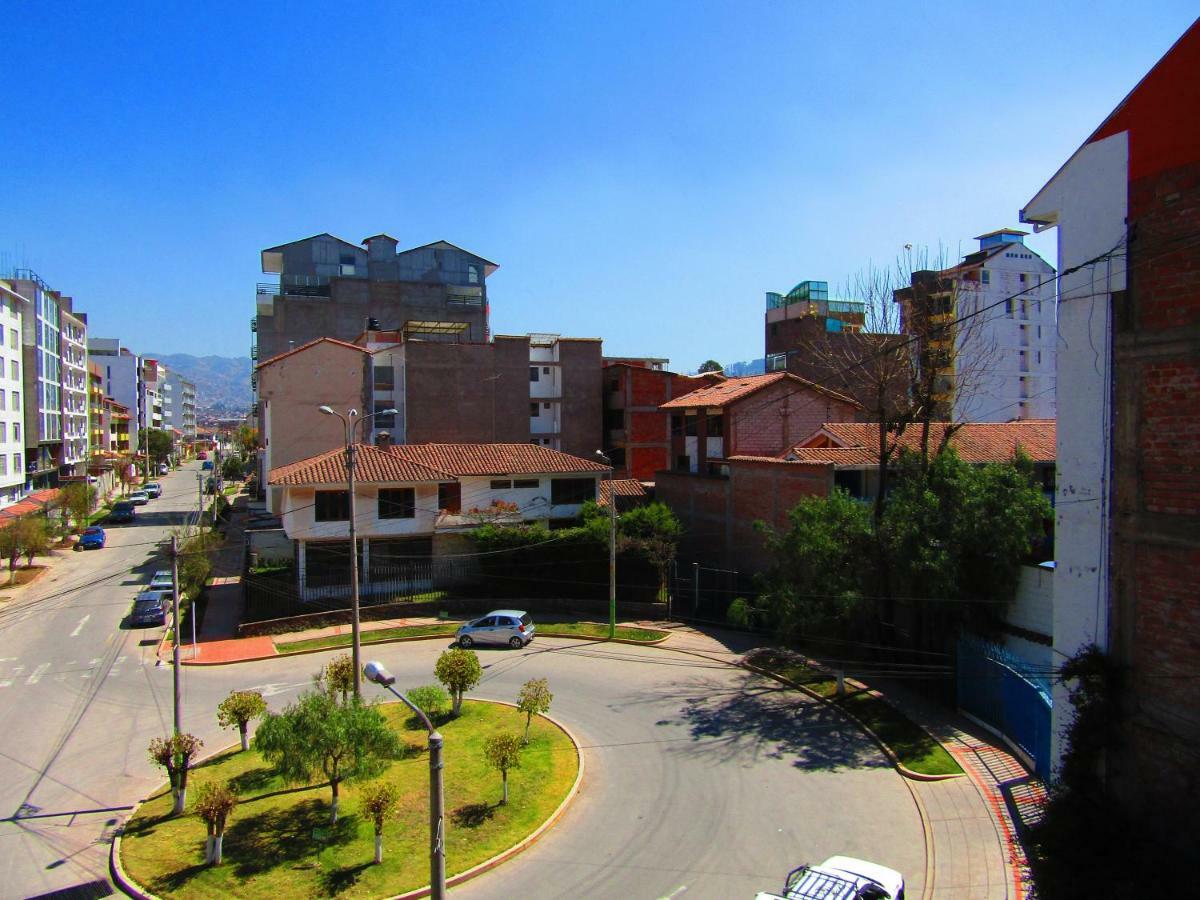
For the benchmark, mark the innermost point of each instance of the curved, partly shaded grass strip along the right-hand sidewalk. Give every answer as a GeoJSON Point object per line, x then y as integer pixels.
{"type": "Point", "coordinates": [916, 748]}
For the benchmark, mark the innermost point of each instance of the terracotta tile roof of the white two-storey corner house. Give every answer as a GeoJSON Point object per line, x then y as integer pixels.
{"type": "Point", "coordinates": [433, 463]}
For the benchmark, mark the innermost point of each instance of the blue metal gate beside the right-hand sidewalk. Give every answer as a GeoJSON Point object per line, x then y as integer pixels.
{"type": "Point", "coordinates": [1009, 695]}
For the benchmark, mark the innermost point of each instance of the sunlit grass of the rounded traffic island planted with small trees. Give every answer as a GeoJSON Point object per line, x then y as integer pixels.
{"type": "Point", "coordinates": [280, 842]}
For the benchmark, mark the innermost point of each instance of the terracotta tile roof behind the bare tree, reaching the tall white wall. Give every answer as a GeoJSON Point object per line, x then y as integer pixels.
{"type": "Point", "coordinates": [856, 443]}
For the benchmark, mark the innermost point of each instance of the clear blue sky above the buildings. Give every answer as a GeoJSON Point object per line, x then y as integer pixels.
{"type": "Point", "coordinates": [643, 172]}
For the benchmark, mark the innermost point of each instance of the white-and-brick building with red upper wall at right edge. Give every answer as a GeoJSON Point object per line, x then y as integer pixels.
{"type": "Point", "coordinates": [1127, 208]}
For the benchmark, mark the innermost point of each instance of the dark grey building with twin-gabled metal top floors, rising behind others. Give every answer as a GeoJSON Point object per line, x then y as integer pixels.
{"type": "Point", "coordinates": [332, 289]}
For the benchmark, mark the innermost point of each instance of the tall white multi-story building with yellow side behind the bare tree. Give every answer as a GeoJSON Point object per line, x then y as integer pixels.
{"type": "Point", "coordinates": [987, 332]}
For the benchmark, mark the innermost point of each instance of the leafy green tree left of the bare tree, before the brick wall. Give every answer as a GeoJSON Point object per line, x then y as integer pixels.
{"type": "Point", "coordinates": [814, 587]}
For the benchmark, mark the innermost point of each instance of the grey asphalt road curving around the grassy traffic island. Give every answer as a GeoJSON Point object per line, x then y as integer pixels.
{"type": "Point", "coordinates": [703, 781]}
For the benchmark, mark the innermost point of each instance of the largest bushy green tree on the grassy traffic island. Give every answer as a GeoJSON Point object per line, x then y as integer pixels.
{"type": "Point", "coordinates": [316, 735]}
